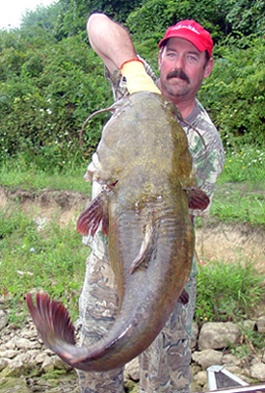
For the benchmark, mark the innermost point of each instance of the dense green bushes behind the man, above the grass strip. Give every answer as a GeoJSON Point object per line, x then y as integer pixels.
{"type": "Point", "coordinates": [50, 79]}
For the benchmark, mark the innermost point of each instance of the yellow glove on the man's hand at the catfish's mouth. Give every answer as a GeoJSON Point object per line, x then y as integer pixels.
{"type": "Point", "coordinates": [137, 78]}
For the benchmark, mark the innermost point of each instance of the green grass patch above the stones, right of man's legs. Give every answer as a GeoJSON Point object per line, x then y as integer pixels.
{"type": "Point", "coordinates": [227, 292]}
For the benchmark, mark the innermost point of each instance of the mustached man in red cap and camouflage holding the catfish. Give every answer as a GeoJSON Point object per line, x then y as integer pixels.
{"type": "Point", "coordinates": [185, 59]}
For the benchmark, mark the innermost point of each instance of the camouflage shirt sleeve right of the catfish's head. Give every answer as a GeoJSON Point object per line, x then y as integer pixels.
{"type": "Point", "coordinates": [207, 152]}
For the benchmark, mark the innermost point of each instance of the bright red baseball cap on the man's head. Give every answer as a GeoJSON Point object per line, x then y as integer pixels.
{"type": "Point", "coordinates": [190, 31]}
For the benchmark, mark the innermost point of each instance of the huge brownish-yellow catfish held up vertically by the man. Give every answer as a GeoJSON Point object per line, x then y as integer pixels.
{"type": "Point", "coordinates": [145, 168]}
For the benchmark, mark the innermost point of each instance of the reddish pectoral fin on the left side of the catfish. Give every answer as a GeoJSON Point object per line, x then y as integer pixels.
{"type": "Point", "coordinates": [96, 212]}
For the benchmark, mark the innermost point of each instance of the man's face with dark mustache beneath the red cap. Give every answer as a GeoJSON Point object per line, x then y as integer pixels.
{"type": "Point", "coordinates": [182, 69]}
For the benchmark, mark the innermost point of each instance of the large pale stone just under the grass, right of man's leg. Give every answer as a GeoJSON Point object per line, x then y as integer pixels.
{"type": "Point", "coordinates": [218, 335]}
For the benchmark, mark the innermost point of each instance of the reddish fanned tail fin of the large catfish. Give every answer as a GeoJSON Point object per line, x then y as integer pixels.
{"type": "Point", "coordinates": [51, 319]}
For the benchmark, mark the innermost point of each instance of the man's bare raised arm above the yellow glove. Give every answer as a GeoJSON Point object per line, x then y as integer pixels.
{"type": "Point", "coordinates": [110, 41]}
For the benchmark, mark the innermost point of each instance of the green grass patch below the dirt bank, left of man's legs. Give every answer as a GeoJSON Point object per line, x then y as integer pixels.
{"type": "Point", "coordinates": [51, 259]}
